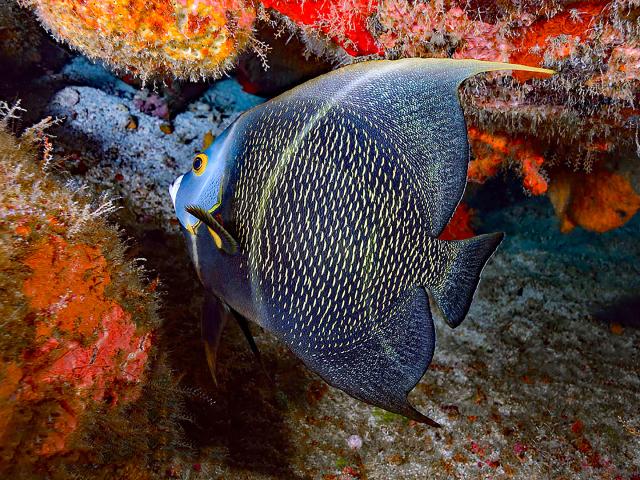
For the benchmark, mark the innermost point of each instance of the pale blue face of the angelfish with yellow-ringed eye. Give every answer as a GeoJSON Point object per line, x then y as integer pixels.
{"type": "Point", "coordinates": [202, 185]}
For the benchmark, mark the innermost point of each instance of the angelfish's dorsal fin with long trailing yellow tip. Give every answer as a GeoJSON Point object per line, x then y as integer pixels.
{"type": "Point", "coordinates": [412, 104]}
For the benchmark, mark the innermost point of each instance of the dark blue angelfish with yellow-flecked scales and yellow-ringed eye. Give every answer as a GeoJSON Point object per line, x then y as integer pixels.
{"type": "Point", "coordinates": [316, 215]}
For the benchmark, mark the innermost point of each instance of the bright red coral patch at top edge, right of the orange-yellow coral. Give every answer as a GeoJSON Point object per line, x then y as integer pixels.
{"type": "Point", "coordinates": [343, 20]}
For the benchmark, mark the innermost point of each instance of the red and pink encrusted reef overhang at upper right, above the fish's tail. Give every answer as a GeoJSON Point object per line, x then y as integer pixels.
{"type": "Point", "coordinates": [581, 117]}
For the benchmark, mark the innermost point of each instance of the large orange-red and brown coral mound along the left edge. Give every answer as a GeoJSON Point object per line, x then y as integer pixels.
{"type": "Point", "coordinates": [77, 324]}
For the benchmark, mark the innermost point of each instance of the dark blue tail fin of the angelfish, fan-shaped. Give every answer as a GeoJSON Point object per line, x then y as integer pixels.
{"type": "Point", "coordinates": [454, 291]}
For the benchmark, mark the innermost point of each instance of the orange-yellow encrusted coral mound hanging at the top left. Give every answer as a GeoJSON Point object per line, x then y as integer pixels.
{"type": "Point", "coordinates": [184, 38]}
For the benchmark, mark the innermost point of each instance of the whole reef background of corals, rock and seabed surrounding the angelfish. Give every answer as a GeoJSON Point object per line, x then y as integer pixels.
{"type": "Point", "coordinates": [102, 369]}
